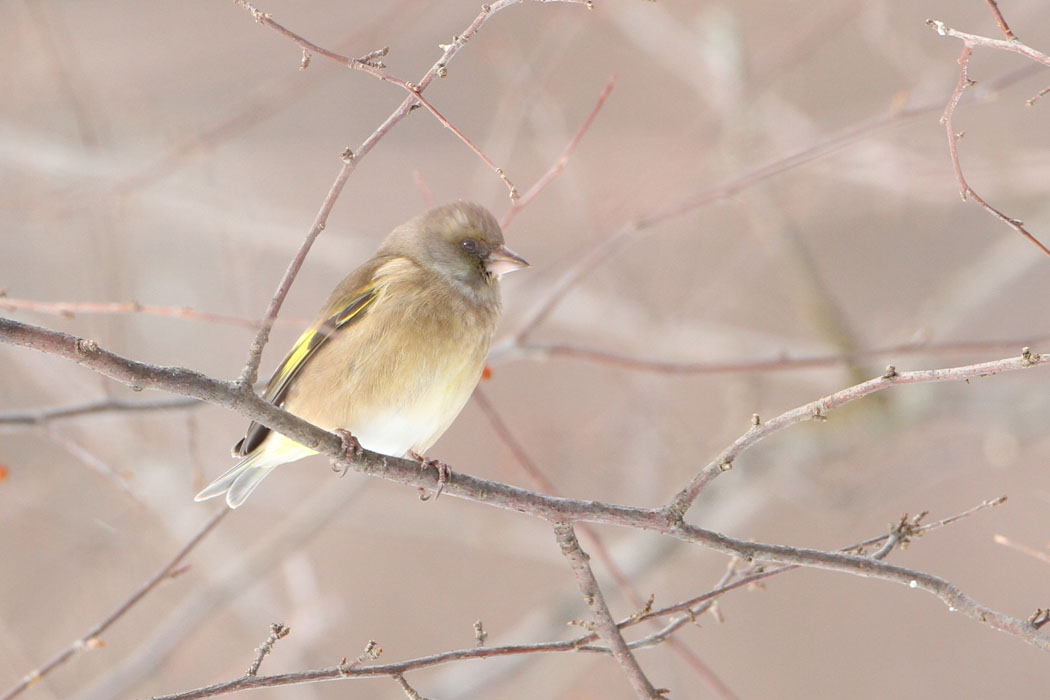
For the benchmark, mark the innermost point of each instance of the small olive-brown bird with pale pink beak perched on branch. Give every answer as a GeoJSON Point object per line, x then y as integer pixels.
{"type": "Point", "coordinates": [396, 351]}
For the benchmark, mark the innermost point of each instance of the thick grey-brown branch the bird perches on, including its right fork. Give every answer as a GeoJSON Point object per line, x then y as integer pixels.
{"type": "Point", "coordinates": [668, 521]}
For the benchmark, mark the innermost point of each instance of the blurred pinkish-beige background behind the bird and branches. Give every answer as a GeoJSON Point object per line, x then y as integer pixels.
{"type": "Point", "coordinates": [796, 200]}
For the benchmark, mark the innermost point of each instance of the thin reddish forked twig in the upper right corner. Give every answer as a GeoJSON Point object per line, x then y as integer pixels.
{"type": "Point", "coordinates": [970, 41]}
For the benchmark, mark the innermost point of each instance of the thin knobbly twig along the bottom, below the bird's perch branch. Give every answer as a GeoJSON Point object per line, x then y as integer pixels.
{"type": "Point", "coordinates": [900, 535]}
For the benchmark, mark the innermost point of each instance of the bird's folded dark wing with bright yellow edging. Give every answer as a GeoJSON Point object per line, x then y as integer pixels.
{"type": "Point", "coordinates": [338, 316]}
